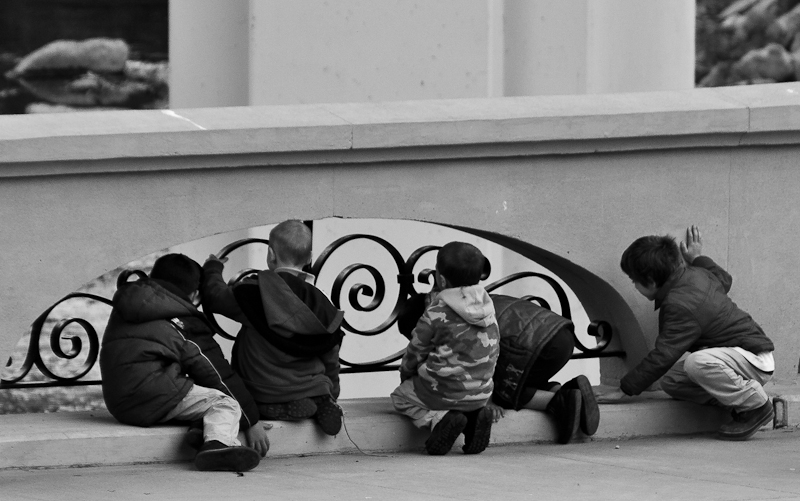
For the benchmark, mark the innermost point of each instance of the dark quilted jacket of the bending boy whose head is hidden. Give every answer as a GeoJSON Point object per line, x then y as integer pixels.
{"type": "Point", "coordinates": [524, 329]}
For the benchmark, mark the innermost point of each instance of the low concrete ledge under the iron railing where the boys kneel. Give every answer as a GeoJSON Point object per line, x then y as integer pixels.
{"type": "Point", "coordinates": [371, 425]}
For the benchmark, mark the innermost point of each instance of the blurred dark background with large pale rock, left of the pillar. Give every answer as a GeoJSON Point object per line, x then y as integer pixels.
{"type": "Point", "coordinates": [73, 55]}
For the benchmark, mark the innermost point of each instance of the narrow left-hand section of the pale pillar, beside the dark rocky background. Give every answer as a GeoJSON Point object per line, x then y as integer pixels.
{"type": "Point", "coordinates": [209, 47]}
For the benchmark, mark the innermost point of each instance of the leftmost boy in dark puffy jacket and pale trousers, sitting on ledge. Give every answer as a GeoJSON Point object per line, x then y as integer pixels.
{"type": "Point", "coordinates": [159, 362]}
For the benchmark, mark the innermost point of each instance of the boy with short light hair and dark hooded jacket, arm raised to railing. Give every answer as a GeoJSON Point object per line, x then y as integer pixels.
{"type": "Point", "coordinates": [287, 351]}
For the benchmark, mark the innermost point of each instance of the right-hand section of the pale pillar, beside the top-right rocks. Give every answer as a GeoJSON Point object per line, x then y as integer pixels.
{"type": "Point", "coordinates": [598, 46]}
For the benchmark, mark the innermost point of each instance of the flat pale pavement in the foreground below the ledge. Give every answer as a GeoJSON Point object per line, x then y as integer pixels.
{"type": "Point", "coordinates": [688, 467]}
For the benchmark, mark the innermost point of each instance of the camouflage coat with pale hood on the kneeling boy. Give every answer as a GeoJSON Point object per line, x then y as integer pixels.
{"type": "Point", "coordinates": [453, 350]}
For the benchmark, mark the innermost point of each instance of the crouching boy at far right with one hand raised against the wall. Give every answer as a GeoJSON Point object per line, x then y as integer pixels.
{"type": "Point", "coordinates": [708, 350]}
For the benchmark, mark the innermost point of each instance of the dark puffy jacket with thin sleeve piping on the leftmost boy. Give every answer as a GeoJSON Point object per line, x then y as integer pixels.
{"type": "Point", "coordinates": [155, 347]}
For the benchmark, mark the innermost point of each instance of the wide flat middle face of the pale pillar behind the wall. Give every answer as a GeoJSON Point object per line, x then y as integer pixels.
{"type": "Point", "coordinates": [314, 51]}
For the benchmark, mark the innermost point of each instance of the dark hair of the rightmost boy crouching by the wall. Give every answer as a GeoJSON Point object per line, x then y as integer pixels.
{"type": "Point", "coordinates": [651, 259]}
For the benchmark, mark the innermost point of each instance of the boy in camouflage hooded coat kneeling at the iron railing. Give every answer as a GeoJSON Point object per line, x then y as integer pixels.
{"type": "Point", "coordinates": [446, 372]}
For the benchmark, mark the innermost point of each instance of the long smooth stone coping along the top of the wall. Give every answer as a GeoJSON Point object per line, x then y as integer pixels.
{"type": "Point", "coordinates": [730, 116]}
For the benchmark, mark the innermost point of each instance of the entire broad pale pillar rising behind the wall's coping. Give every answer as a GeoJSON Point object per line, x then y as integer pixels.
{"type": "Point", "coordinates": [267, 52]}
